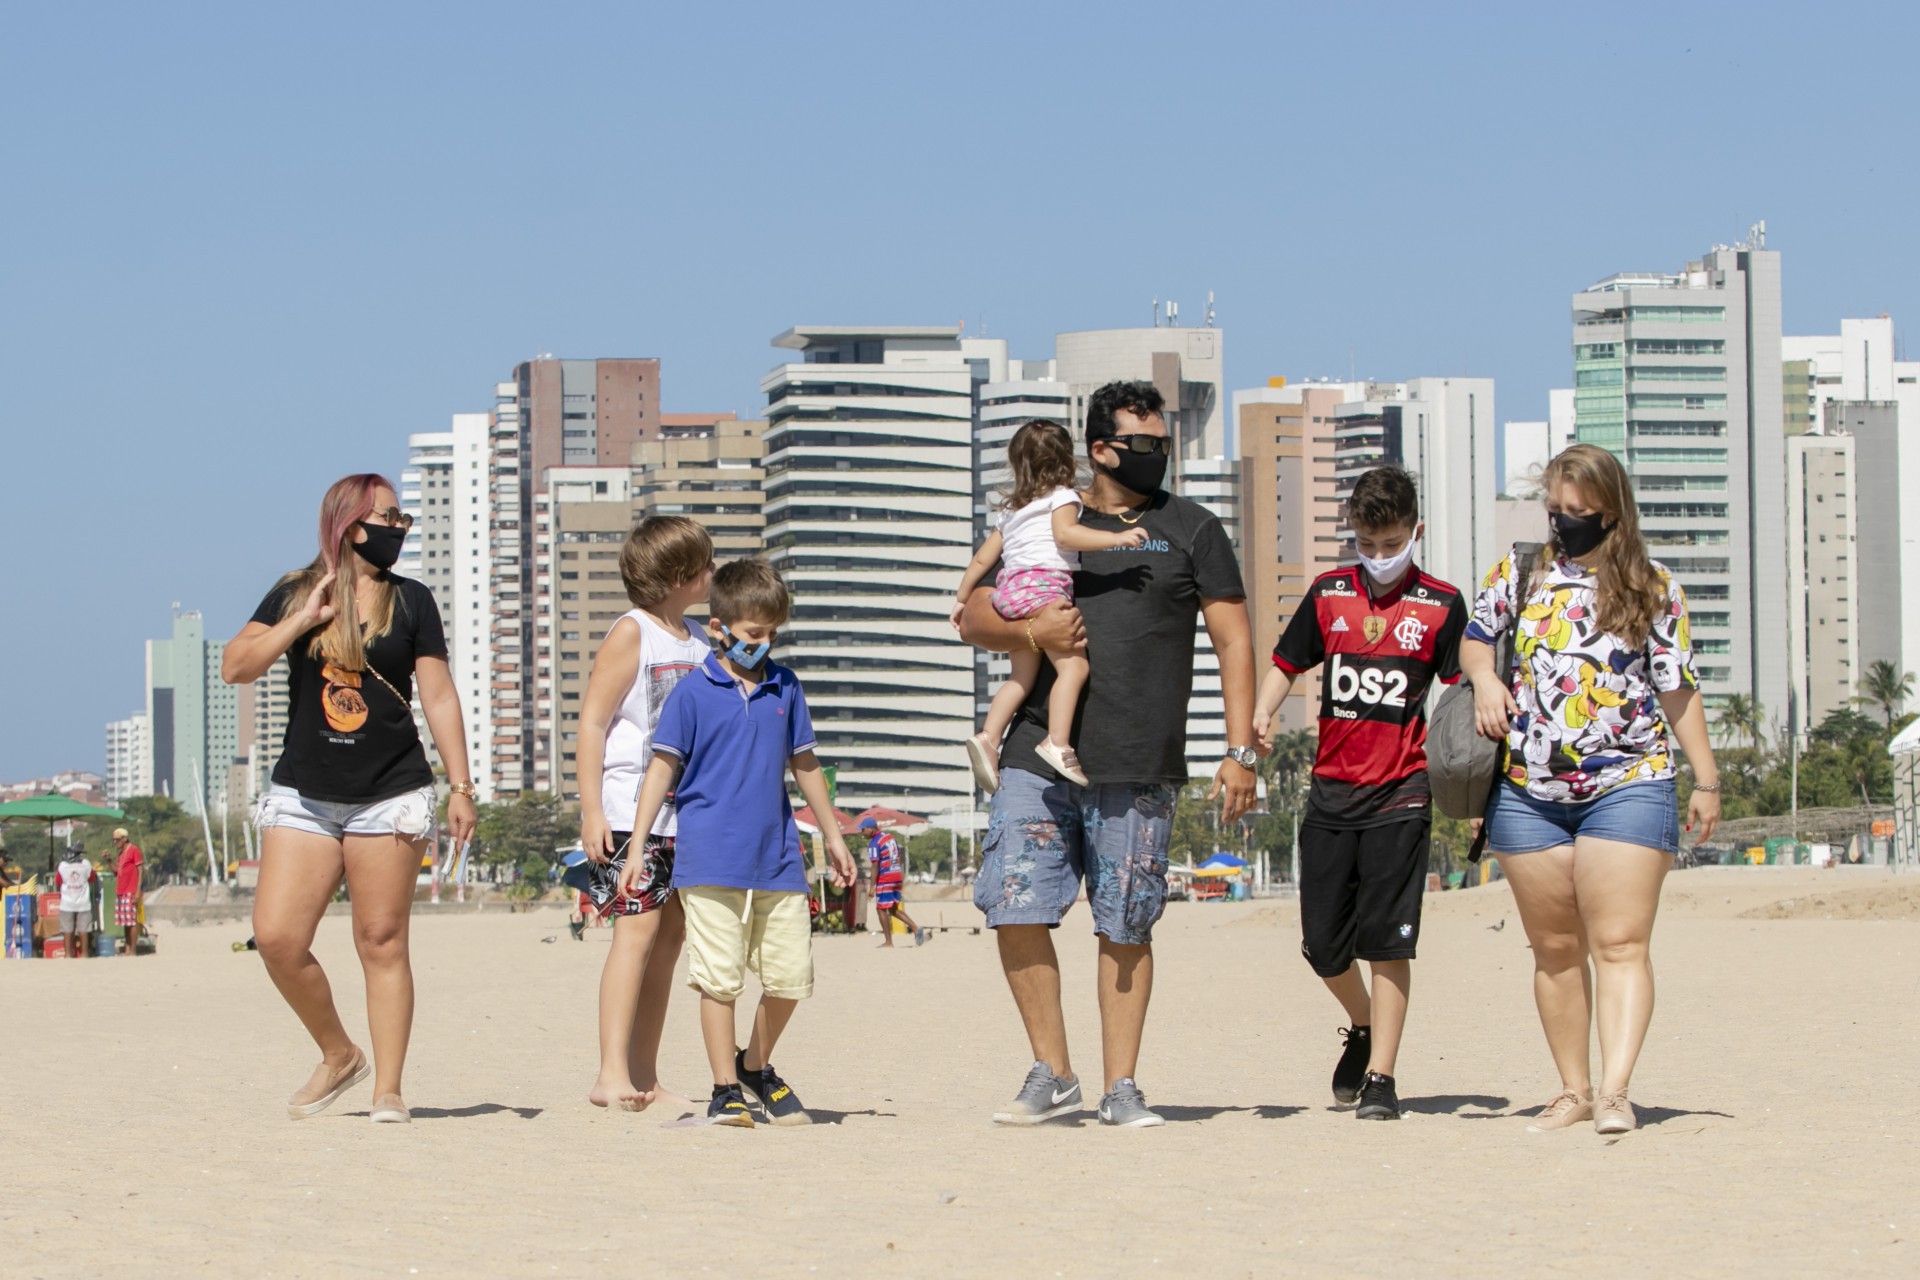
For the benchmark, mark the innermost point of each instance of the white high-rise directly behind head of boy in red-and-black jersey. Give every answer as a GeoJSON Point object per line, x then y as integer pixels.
{"type": "Point", "coordinates": [1445, 433]}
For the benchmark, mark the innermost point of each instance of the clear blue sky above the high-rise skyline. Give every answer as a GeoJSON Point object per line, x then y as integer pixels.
{"type": "Point", "coordinates": [251, 249]}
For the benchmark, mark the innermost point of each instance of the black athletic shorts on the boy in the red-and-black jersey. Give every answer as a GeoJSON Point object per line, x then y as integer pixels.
{"type": "Point", "coordinates": [1360, 893]}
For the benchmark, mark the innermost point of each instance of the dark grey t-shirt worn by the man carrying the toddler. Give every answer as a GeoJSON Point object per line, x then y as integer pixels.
{"type": "Point", "coordinates": [1140, 609]}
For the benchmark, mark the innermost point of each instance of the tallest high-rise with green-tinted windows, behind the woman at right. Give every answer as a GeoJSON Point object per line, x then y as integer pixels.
{"type": "Point", "coordinates": [1681, 377]}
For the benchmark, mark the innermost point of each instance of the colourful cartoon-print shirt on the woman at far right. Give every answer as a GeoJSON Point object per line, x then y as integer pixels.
{"type": "Point", "coordinates": [1591, 717]}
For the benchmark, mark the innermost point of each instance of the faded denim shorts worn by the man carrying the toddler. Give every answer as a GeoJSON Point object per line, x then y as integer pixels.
{"type": "Point", "coordinates": [1044, 838]}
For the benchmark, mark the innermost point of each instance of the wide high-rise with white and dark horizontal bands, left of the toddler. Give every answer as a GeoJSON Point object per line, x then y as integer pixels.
{"type": "Point", "coordinates": [871, 519]}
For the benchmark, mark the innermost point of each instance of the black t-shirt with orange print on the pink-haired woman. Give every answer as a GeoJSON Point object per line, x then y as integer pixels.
{"type": "Point", "coordinates": [350, 740]}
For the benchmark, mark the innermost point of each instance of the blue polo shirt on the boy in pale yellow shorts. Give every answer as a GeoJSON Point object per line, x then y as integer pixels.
{"type": "Point", "coordinates": [736, 826]}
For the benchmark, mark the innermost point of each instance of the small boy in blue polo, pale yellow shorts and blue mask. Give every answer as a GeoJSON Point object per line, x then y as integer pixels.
{"type": "Point", "coordinates": [732, 730]}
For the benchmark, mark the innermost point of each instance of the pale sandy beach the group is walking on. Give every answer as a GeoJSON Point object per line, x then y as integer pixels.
{"type": "Point", "coordinates": [1779, 1091]}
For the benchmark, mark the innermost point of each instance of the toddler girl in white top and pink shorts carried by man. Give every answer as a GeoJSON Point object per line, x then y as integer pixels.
{"type": "Point", "coordinates": [1038, 542]}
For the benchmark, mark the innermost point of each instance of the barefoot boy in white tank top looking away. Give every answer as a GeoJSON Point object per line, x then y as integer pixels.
{"type": "Point", "coordinates": [667, 567]}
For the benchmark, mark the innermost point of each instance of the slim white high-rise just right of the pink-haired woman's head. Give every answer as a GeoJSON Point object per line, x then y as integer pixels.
{"type": "Point", "coordinates": [446, 488]}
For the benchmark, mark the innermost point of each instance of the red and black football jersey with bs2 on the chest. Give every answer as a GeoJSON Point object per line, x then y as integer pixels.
{"type": "Point", "coordinates": [1383, 655]}
